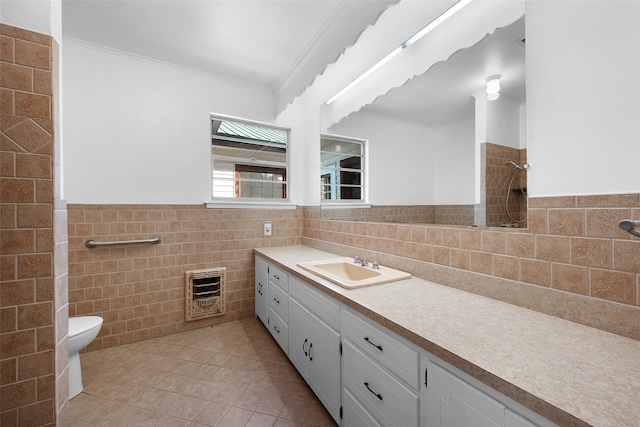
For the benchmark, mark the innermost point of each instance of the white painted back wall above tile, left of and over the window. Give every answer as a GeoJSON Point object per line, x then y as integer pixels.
{"type": "Point", "coordinates": [137, 131]}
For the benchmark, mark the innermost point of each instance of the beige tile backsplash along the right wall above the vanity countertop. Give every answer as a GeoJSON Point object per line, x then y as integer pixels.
{"type": "Point", "coordinates": [573, 261]}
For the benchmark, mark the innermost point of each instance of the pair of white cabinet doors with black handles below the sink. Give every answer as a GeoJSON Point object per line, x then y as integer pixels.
{"type": "Point", "coordinates": [315, 351]}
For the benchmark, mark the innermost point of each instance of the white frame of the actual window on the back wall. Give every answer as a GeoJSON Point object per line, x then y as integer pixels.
{"type": "Point", "coordinates": [253, 202]}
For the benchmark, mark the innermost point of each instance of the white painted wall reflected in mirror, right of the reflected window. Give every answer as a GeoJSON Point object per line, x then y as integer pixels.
{"type": "Point", "coordinates": [400, 158]}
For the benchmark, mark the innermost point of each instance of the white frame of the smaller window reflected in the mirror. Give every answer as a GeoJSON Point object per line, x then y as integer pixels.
{"type": "Point", "coordinates": [364, 181]}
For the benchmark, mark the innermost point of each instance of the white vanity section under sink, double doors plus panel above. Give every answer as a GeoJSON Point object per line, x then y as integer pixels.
{"type": "Point", "coordinates": [314, 343]}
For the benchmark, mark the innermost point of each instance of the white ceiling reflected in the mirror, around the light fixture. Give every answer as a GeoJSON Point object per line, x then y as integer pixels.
{"type": "Point", "coordinates": [444, 94]}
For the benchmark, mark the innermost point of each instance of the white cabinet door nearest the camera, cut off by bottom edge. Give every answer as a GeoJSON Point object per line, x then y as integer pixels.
{"type": "Point", "coordinates": [452, 402]}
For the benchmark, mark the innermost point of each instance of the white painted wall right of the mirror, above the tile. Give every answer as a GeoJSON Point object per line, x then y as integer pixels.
{"type": "Point", "coordinates": [583, 97]}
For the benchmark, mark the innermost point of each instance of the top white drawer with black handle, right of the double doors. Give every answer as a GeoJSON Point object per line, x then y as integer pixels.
{"type": "Point", "coordinates": [382, 347]}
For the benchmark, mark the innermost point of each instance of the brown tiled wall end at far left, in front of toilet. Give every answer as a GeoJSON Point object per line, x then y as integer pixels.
{"type": "Point", "coordinates": [32, 289]}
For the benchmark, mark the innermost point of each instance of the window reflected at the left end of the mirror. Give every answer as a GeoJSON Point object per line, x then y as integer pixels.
{"type": "Point", "coordinates": [341, 168]}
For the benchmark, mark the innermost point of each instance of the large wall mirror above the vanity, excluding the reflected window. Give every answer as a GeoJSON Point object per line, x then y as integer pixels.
{"type": "Point", "coordinates": [441, 152]}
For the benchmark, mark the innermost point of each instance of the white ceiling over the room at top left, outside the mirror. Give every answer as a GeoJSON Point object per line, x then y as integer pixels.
{"type": "Point", "coordinates": [279, 44]}
